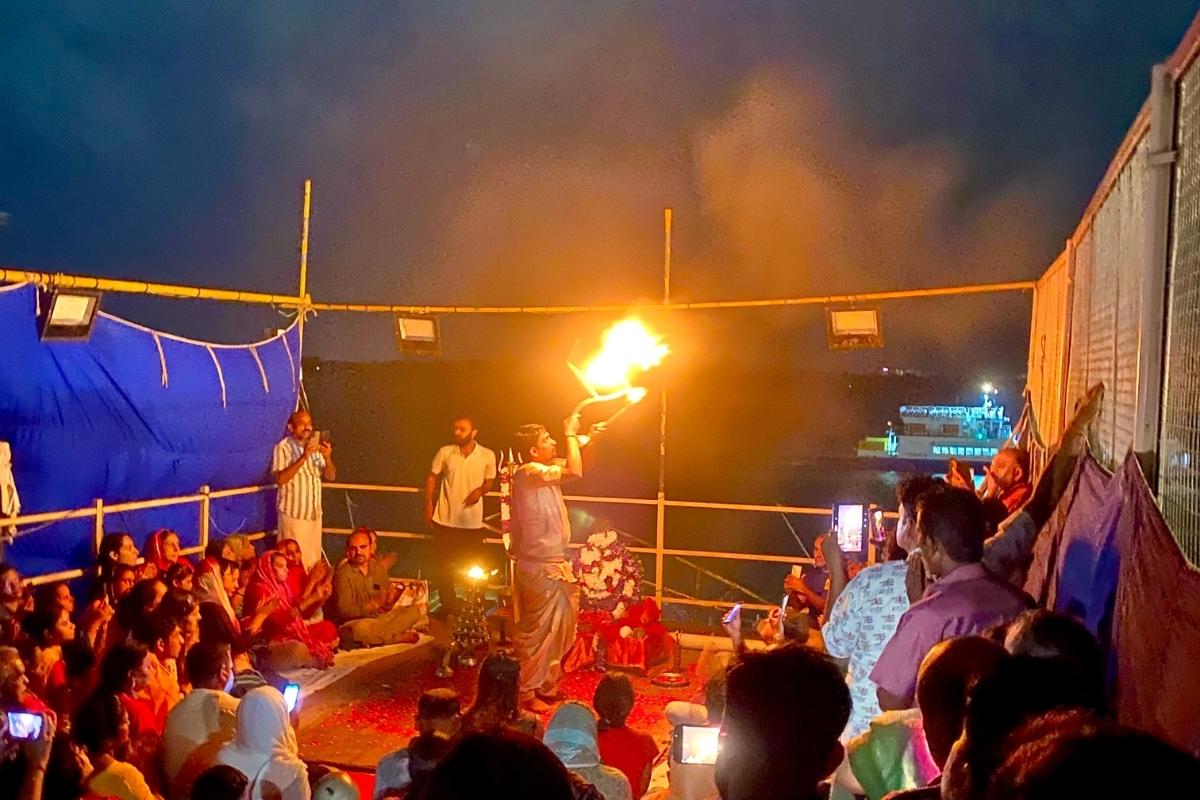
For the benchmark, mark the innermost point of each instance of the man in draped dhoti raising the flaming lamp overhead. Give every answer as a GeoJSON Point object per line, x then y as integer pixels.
{"type": "Point", "coordinates": [548, 599]}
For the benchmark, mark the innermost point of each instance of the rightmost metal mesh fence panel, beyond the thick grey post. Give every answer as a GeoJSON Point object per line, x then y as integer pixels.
{"type": "Point", "coordinates": [1180, 446]}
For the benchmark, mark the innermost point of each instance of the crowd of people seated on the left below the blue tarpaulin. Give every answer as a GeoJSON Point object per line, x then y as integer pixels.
{"type": "Point", "coordinates": [172, 669]}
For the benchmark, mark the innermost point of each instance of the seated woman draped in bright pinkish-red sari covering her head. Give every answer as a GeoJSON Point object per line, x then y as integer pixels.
{"type": "Point", "coordinates": [287, 622]}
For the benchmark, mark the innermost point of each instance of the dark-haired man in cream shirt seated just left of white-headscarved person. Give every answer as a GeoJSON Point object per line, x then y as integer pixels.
{"type": "Point", "coordinates": [203, 721]}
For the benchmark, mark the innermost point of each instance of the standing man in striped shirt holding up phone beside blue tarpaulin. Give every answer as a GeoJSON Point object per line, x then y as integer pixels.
{"type": "Point", "coordinates": [299, 464]}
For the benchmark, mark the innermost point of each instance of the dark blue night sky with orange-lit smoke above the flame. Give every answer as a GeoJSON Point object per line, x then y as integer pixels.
{"type": "Point", "coordinates": [523, 153]}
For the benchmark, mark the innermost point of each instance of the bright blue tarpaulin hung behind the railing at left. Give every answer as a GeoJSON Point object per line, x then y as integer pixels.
{"type": "Point", "coordinates": [134, 414]}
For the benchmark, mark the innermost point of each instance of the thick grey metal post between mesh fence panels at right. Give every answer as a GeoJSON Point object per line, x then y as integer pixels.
{"type": "Point", "coordinates": [1154, 293]}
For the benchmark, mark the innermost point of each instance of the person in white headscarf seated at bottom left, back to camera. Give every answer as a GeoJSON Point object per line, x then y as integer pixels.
{"type": "Point", "coordinates": [265, 749]}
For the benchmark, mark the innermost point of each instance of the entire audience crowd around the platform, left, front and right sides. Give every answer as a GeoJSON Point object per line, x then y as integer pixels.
{"type": "Point", "coordinates": [933, 677]}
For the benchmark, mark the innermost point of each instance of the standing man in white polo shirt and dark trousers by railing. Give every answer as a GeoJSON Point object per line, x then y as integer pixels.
{"type": "Point", "coordinates": [461, 476]}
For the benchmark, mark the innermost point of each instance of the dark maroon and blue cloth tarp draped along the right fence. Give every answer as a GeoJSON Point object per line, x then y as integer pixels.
{"type": "Point", "coordinates": [1108, 558]}
